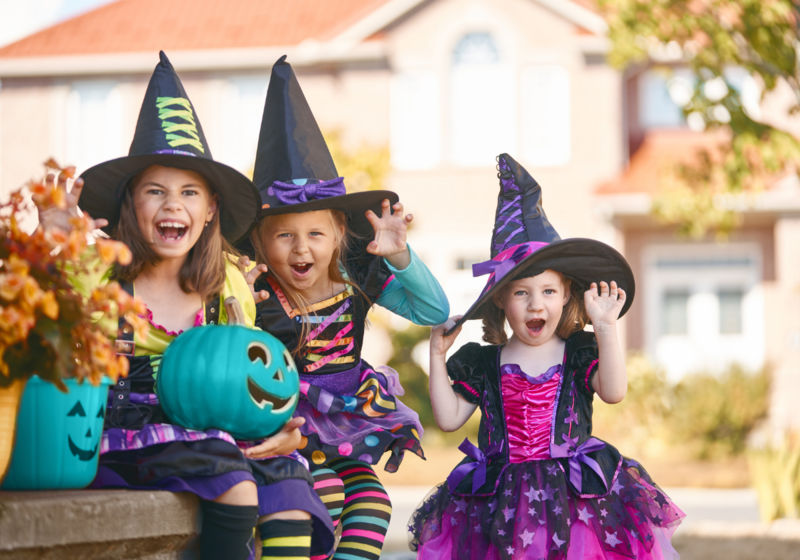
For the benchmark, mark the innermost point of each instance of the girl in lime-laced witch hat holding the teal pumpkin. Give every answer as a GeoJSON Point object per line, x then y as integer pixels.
{"type": "Point", "coordinates": [178, 210]}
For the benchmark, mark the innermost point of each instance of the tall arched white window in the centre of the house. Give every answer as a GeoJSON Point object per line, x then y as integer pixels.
{"type": "Point", "coordinates": [482, 102]}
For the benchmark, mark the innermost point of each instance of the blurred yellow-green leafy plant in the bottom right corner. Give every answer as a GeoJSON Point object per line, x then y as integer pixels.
{"type": "Point", "coordinates": [776, 478]}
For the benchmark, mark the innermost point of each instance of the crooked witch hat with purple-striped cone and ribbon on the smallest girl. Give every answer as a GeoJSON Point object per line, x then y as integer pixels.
{"type": "Point", "coordinates": [525, 243]}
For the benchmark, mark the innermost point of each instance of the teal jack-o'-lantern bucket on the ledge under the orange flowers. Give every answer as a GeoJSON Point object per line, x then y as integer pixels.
{"type": "Point", "coordinates": [58, 436]}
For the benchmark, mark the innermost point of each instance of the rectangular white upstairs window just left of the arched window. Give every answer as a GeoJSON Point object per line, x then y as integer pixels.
{"type": "Point", "coordinates": [415, 120]}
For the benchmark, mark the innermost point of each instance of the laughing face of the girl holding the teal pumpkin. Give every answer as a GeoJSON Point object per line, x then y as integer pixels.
{"type": "Point", "coordinates": [172, 208]}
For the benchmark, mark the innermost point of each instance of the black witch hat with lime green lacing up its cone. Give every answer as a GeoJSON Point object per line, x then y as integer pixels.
{"type": "Point", "coordinates": [168, 133]}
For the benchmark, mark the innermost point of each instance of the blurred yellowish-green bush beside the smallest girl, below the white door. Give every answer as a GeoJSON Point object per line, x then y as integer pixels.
{"type": "Point", "coordinates": [704, 416]}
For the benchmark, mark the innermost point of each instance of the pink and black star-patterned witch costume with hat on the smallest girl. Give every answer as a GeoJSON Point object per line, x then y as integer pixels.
{"type": "Point", "coordinates": [539, 485]}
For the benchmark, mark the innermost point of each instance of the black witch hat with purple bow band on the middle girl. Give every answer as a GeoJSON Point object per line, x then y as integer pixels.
{"type": "Point", "coordinates": [294, 170]}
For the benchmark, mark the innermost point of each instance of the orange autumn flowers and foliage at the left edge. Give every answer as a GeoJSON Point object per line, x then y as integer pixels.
{"type": "Point", "coordinates": [47, 327]}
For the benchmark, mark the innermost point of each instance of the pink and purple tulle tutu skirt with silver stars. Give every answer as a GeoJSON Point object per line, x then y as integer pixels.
{"type": "Point", "coordinates": [535, 514]}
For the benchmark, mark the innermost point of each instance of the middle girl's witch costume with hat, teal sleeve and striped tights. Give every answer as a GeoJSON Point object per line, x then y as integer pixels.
{"type": "Point", "coordinates": [352, 414]}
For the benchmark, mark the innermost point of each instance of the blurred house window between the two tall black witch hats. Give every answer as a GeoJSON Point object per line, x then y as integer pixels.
{"type": "Point", "coordinates": [244, 99]}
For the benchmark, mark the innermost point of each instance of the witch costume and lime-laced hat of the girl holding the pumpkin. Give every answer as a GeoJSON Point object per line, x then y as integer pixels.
{"type": "Point", "coordinates": [140, 448]}
